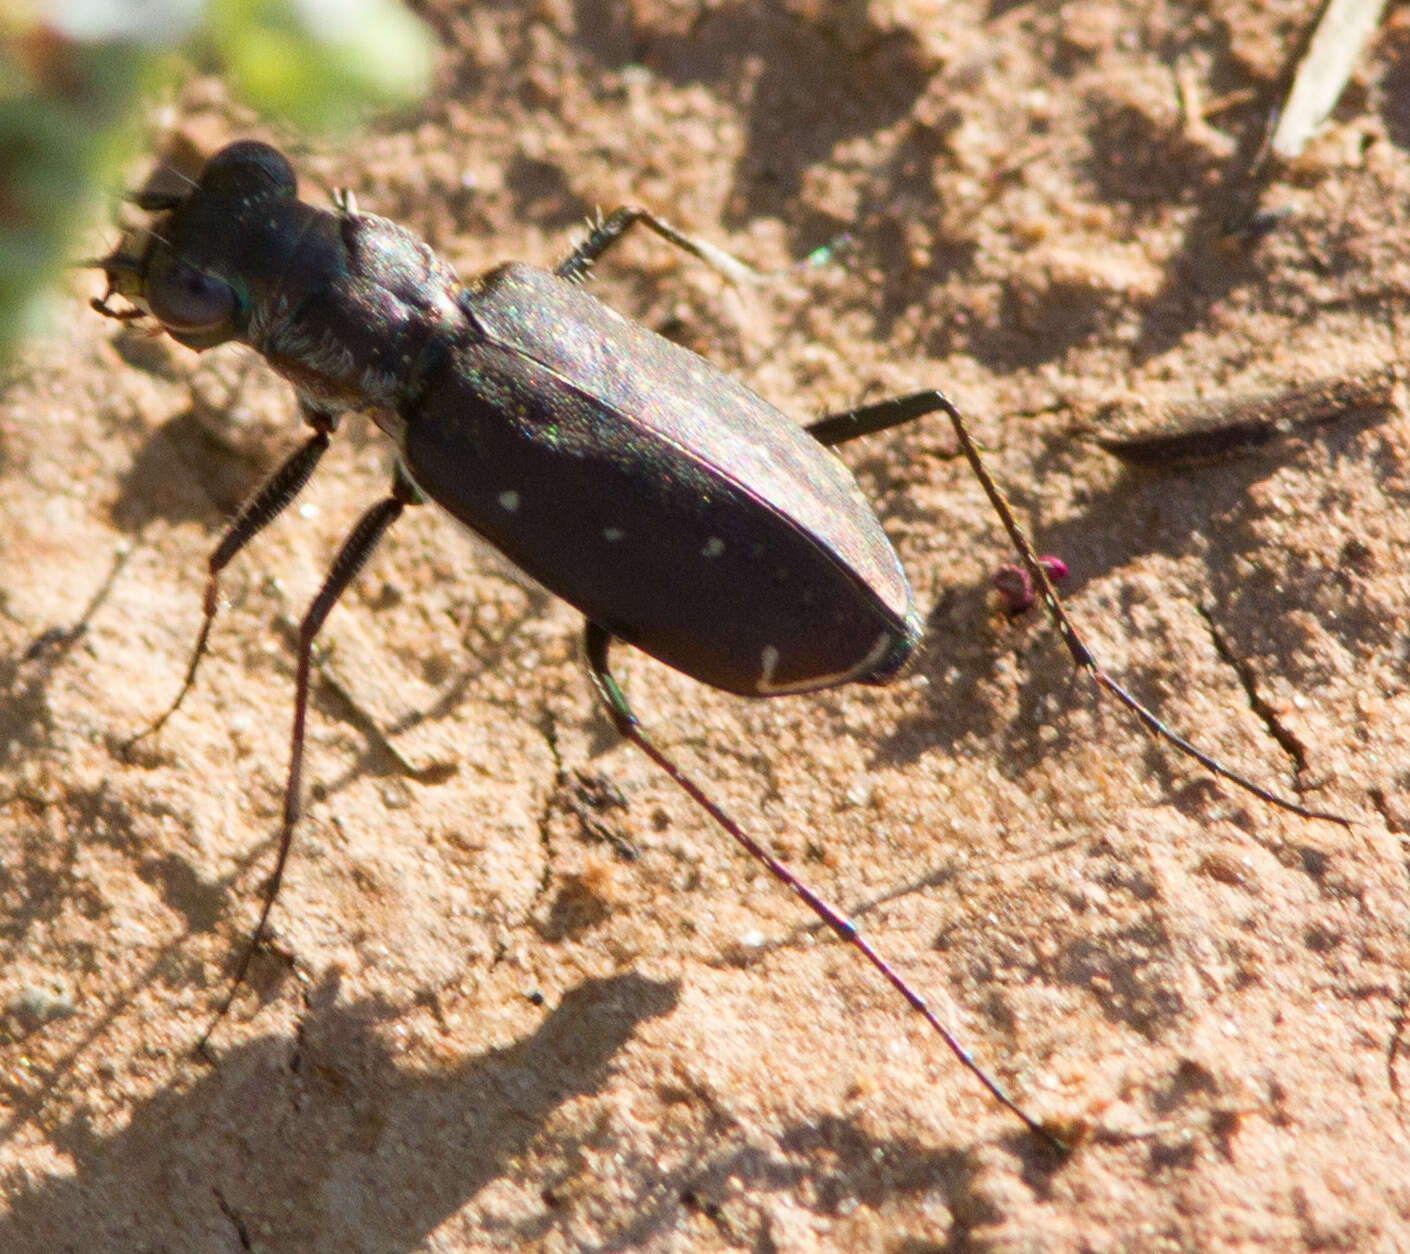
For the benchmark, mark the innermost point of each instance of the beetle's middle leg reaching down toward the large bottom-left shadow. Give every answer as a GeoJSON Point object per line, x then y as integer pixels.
{"type": "Point", "coordinates": [352, 558]}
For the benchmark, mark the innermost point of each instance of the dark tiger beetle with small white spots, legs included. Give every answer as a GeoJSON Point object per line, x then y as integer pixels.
{"type": "Point", "coordinates": [668, 503]}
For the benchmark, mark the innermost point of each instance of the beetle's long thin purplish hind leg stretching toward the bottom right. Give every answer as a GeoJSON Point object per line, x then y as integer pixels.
{"type": "Point", "coordinates": [597, 644]}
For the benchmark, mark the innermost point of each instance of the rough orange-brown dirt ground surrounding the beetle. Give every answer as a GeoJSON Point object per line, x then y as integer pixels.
{"type": "Point", "coordinates": [522, 995]}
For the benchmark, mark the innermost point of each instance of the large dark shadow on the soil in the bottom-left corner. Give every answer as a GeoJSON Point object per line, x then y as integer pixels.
{"type": "Point", "coordinates": [338, 1139]}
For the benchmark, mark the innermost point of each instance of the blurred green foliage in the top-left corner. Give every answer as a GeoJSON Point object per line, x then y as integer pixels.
{"type": "Point", "coordinates": [75, 74]}
